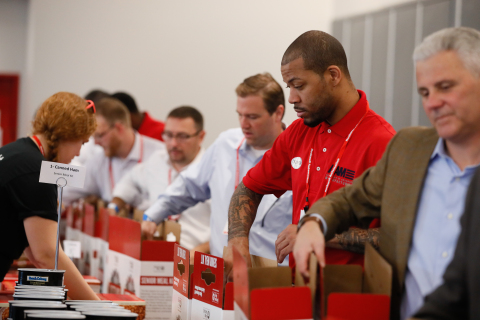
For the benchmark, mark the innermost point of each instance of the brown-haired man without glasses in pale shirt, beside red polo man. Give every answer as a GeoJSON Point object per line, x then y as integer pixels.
{"type": "Point", "coordinates": [260, 108]}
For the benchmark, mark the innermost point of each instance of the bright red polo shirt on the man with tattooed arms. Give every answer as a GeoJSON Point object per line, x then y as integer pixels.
{"type": "Point", "coordinates": [284, 166]}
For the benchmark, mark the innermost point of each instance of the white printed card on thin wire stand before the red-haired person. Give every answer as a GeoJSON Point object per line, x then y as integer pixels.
{"type": "Point", "coordinates": [62, 174]}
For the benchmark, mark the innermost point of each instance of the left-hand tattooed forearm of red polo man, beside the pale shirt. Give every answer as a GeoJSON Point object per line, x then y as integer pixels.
{"type": "Point", "coordinates": [242, 211]}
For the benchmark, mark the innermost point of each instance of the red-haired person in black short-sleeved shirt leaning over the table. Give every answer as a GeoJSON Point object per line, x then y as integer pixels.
{"type": "Point", "coordinates": [28, 211]}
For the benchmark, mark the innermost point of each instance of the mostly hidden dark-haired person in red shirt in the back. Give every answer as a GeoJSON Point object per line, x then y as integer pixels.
{"type": "Point", "coordinates": [141, 121]}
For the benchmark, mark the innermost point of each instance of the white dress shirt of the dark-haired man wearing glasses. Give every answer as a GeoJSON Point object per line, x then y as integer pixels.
{"type": "Point", "coordinates": [142, 185]}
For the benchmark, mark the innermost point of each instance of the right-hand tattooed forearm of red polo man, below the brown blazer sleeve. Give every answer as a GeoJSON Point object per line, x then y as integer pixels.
{"type": "Point", "coordinates": [354, 239]}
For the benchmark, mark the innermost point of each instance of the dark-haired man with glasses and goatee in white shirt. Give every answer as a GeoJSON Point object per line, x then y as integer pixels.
{"type": "Point", "coordinates": [140, 187]}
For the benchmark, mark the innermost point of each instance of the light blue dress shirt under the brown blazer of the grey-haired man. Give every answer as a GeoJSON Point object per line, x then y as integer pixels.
{"type": "Point", "coordinates": [437, 227]}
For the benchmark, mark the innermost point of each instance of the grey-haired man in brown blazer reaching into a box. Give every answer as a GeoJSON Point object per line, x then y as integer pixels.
{"type": "Point", "coordinates": [418, 188]}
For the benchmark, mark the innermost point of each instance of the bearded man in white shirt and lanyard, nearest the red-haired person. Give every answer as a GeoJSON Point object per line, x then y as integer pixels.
{"type": "Point", "coordinates": [122, 147]}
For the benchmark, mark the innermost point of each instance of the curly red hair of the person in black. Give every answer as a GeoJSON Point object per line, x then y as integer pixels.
{"type": "Point", "coordinates": [63, 117]}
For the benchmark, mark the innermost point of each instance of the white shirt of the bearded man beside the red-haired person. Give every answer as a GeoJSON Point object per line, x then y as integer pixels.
{"type": "Point", "coordinates": [98, 179]}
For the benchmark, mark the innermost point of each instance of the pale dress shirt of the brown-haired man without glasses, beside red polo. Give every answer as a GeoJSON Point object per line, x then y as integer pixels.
{"type": "Point", "coordinates": [214, 178]}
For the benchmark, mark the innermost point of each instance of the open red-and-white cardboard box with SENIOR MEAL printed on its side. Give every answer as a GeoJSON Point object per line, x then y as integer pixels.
{"type": "Point", "coordinates": [140, 268]}
